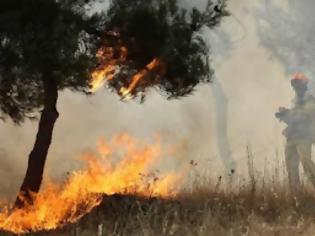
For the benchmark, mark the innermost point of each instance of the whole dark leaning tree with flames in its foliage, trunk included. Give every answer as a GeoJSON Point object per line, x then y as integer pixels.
{"type": "Point", "coordinates": [48, 45]}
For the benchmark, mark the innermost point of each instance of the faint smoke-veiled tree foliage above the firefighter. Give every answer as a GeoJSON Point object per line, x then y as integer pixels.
{"type": "Point", "coordinates": [286, 29]}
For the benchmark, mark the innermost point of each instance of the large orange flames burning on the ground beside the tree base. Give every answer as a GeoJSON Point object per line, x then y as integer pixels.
{"type": "Point", "coordinates": [120, 166]}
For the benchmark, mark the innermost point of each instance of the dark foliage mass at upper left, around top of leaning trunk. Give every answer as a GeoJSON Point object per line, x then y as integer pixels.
{"type": "Point", "coordinates": [40, 38]}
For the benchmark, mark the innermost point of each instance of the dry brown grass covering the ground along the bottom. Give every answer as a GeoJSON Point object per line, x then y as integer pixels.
{"type": "Point", "coordinates": [203, 211]}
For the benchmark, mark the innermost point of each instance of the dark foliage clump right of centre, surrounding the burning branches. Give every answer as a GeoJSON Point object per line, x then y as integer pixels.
{"type": "Point", "coordinates": [161, 29]}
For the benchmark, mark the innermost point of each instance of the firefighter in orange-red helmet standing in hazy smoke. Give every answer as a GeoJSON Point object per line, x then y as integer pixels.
{"type": "Point", "coordinates": [299, 132]}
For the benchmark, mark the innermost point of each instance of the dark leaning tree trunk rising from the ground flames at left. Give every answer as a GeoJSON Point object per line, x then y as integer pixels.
{"type": "Point", "coordinates": [37, 157]}
